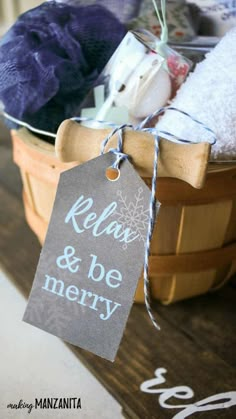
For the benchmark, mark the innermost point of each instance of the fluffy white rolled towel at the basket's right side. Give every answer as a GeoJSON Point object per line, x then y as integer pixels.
{"type": "Point", "coordinates": [209, 95]}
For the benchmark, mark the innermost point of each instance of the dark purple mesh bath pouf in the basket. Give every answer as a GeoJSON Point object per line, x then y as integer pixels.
{"type": "Point", "coordinates": [50, 58]}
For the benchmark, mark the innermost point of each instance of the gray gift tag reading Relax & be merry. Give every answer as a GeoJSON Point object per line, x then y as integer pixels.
{"type": "Point", "coordinates": [92, 257]}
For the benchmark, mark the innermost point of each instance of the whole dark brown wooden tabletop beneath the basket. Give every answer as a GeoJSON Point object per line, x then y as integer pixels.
{"type": "Point", "coordinates": [196, 344]}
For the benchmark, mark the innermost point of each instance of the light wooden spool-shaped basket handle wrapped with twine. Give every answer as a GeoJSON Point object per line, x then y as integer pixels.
{"type": "Point", "coordinates": [187, 162]}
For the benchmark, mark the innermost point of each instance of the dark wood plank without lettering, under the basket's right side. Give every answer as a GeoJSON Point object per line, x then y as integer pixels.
{"type": "Point", "coordinates": [209, 320]}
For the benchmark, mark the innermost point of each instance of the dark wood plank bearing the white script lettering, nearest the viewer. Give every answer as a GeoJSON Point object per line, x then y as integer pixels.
{"type": "Point", "coordinates": [143, 350]}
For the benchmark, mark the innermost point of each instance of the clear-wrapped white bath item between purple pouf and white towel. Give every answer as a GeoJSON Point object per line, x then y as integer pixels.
{"type": "Point", "coordinates": [141, 76]}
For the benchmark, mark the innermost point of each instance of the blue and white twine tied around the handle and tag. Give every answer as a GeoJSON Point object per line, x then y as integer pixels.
{"type": "Point", "coordinates": [120, 156]}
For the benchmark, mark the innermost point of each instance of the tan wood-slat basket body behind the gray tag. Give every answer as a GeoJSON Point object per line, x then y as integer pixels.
{"type": "Point", "coordinates": [194, 242]}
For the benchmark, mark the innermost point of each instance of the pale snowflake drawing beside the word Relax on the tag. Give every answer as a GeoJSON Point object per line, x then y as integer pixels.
{"type": "Point", "coordinates": [133, 215]}
